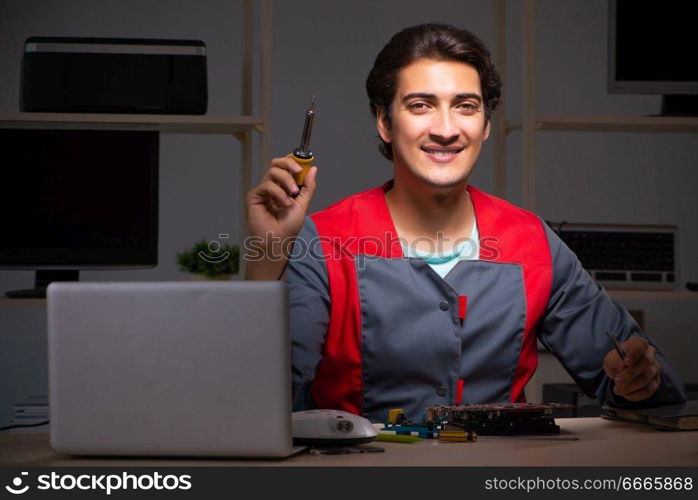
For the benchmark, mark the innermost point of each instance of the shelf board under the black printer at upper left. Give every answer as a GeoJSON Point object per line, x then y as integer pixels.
{"type": "Point", "coordinates": [177, 124]}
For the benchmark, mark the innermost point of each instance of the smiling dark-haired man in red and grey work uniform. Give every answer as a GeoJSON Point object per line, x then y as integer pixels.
{"type": "Point", "coordinates": [426, 290]}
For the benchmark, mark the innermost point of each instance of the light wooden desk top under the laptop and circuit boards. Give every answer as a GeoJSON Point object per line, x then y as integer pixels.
{"type": "Point", "coordinates": [601, 443]}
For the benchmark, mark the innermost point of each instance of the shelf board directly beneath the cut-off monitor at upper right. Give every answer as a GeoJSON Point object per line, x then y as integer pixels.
{"type": "Point", "coordinates": [612, 123]}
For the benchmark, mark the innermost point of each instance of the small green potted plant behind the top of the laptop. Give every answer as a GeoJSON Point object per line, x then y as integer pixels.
{"type": "Point", "coordinates": [210, 260]}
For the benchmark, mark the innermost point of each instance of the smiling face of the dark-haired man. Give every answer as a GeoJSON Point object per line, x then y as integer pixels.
{"type": "Point", "coordinates": [438, 122]}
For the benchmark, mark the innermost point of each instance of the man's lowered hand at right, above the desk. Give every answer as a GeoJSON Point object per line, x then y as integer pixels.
{"type": "Point", "coordinates": [636, 376]}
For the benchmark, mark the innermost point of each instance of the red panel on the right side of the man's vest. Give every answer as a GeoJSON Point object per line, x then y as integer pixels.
{"type": "Point", "coordinates": [511, 234]}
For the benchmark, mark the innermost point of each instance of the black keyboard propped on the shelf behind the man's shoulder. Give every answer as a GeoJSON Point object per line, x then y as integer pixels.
{"type": "Point", "coordinates": [631, 257]}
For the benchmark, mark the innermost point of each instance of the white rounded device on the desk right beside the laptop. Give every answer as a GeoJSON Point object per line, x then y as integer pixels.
{"type": "Point", "coordinates": [331, 427]}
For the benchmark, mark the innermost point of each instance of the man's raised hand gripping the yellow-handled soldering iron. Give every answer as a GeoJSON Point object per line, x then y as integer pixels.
{"type": "Point", "coordinates": [274, 216]}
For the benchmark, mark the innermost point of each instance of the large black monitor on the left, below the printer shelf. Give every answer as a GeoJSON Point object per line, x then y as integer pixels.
{"type": "Point", "coordinates": [77, 199]}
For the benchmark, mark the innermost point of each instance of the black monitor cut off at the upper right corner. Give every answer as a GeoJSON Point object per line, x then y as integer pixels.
{"type": "Point", "coordinates": [651, 50]}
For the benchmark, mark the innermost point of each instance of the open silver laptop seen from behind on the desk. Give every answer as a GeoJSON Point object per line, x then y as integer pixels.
{"type": "Point", "coordinates": [170, 369]}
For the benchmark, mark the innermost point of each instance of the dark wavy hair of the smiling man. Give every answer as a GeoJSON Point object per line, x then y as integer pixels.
{"type": "Point", "coordinates": [429, 41]}
